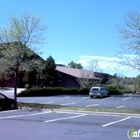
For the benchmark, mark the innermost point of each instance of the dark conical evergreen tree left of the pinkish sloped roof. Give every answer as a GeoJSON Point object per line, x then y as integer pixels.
{"type": "Point", "coordinates": [50, 76]}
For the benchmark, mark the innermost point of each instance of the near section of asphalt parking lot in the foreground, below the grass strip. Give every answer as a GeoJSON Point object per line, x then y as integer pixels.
{"type": "Point", "coordinates": [60, 125]}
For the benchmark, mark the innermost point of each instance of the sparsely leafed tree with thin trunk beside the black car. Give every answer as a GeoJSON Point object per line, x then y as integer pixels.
{"type": "Point", "coordinates": [23, 35]}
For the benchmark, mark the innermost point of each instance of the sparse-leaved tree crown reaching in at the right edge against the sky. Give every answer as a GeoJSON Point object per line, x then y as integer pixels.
{"type": "Point", "coordinates": [129, 52]}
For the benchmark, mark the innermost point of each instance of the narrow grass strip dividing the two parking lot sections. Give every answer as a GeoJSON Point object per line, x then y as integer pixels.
{"type": "Point", "coordinates": [92, 109]}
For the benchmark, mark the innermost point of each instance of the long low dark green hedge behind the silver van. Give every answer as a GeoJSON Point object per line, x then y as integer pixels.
{"type": "Point", "coordinates": [51, 91]}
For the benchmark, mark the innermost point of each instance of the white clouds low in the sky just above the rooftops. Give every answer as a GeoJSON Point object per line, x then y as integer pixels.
{"type": "Point", "coordinates": [105, 64]}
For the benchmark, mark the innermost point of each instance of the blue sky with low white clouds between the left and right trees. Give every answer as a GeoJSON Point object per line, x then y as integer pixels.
{"type": "Point", "coordinates": [78, 30]}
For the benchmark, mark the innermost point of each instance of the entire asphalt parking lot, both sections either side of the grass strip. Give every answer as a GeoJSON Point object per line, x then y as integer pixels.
{"type": "Point", "coordinates": [64, 125]}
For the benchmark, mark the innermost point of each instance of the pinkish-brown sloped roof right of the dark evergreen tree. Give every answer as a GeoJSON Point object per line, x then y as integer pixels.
{"type": "Point", "coordinates": [78, 73]}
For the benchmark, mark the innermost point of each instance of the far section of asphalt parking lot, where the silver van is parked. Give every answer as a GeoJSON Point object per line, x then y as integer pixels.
{"type": "Point", "coordinates": [85, 101]}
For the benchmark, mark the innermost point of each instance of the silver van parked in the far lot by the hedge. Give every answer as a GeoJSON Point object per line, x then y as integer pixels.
{"type": "Point", "coordinates": [98, 92]}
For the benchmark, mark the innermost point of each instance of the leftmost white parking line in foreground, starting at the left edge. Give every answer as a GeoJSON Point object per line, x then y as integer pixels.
{"type": "Point", "coordinates": [25, 115]}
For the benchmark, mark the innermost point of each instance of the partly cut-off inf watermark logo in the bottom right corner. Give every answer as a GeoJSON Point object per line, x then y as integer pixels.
{"type": "Point", "coordinates": [133, 133]}
